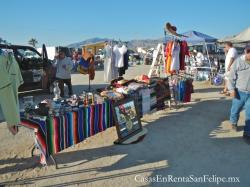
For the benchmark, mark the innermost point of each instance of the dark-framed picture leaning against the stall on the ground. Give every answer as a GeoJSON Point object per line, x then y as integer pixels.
{"type": "Point", "coordinates": [126, 119]}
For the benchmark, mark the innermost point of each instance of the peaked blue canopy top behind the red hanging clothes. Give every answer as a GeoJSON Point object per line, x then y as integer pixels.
{"type": "Point", "coordinates": [194, 37]}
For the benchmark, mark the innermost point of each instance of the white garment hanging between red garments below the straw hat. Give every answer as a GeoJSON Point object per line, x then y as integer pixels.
{"type": "Point", "coordinates": [175, 64]}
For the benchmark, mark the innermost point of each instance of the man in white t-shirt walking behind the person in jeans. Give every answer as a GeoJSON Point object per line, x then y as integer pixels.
{"type": "Point", "coordinates": [231, 55]}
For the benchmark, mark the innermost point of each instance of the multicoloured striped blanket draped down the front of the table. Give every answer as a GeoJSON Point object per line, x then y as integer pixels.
{"type": "Point", "coordinates": [56, 133]}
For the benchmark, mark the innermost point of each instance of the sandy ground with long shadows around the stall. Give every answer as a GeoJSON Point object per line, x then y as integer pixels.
{"type": "Point", "coordinates": [192, 140]}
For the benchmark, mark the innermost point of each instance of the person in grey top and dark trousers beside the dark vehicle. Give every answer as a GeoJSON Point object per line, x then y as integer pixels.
{"type": "Point", "coordinates": [63, 66]}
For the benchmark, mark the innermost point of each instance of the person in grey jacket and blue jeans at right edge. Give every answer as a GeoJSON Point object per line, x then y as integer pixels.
{"type": "Point", "coordinates": [239, 87]}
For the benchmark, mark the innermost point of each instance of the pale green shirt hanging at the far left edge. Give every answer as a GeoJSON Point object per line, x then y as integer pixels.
{"type": "Point", "coordinates": [8, 99]}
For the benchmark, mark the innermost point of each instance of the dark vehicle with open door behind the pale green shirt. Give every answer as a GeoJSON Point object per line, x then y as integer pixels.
{"type": "Point", "coordinates": [36, 69]}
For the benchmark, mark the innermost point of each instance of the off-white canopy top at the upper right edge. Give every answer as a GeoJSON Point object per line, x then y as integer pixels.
{"type": "Point", "coordinates": [242, 37]}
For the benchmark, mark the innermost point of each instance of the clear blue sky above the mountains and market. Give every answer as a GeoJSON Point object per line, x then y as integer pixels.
{"type": "Point", "coordinates": [62, 22]}
